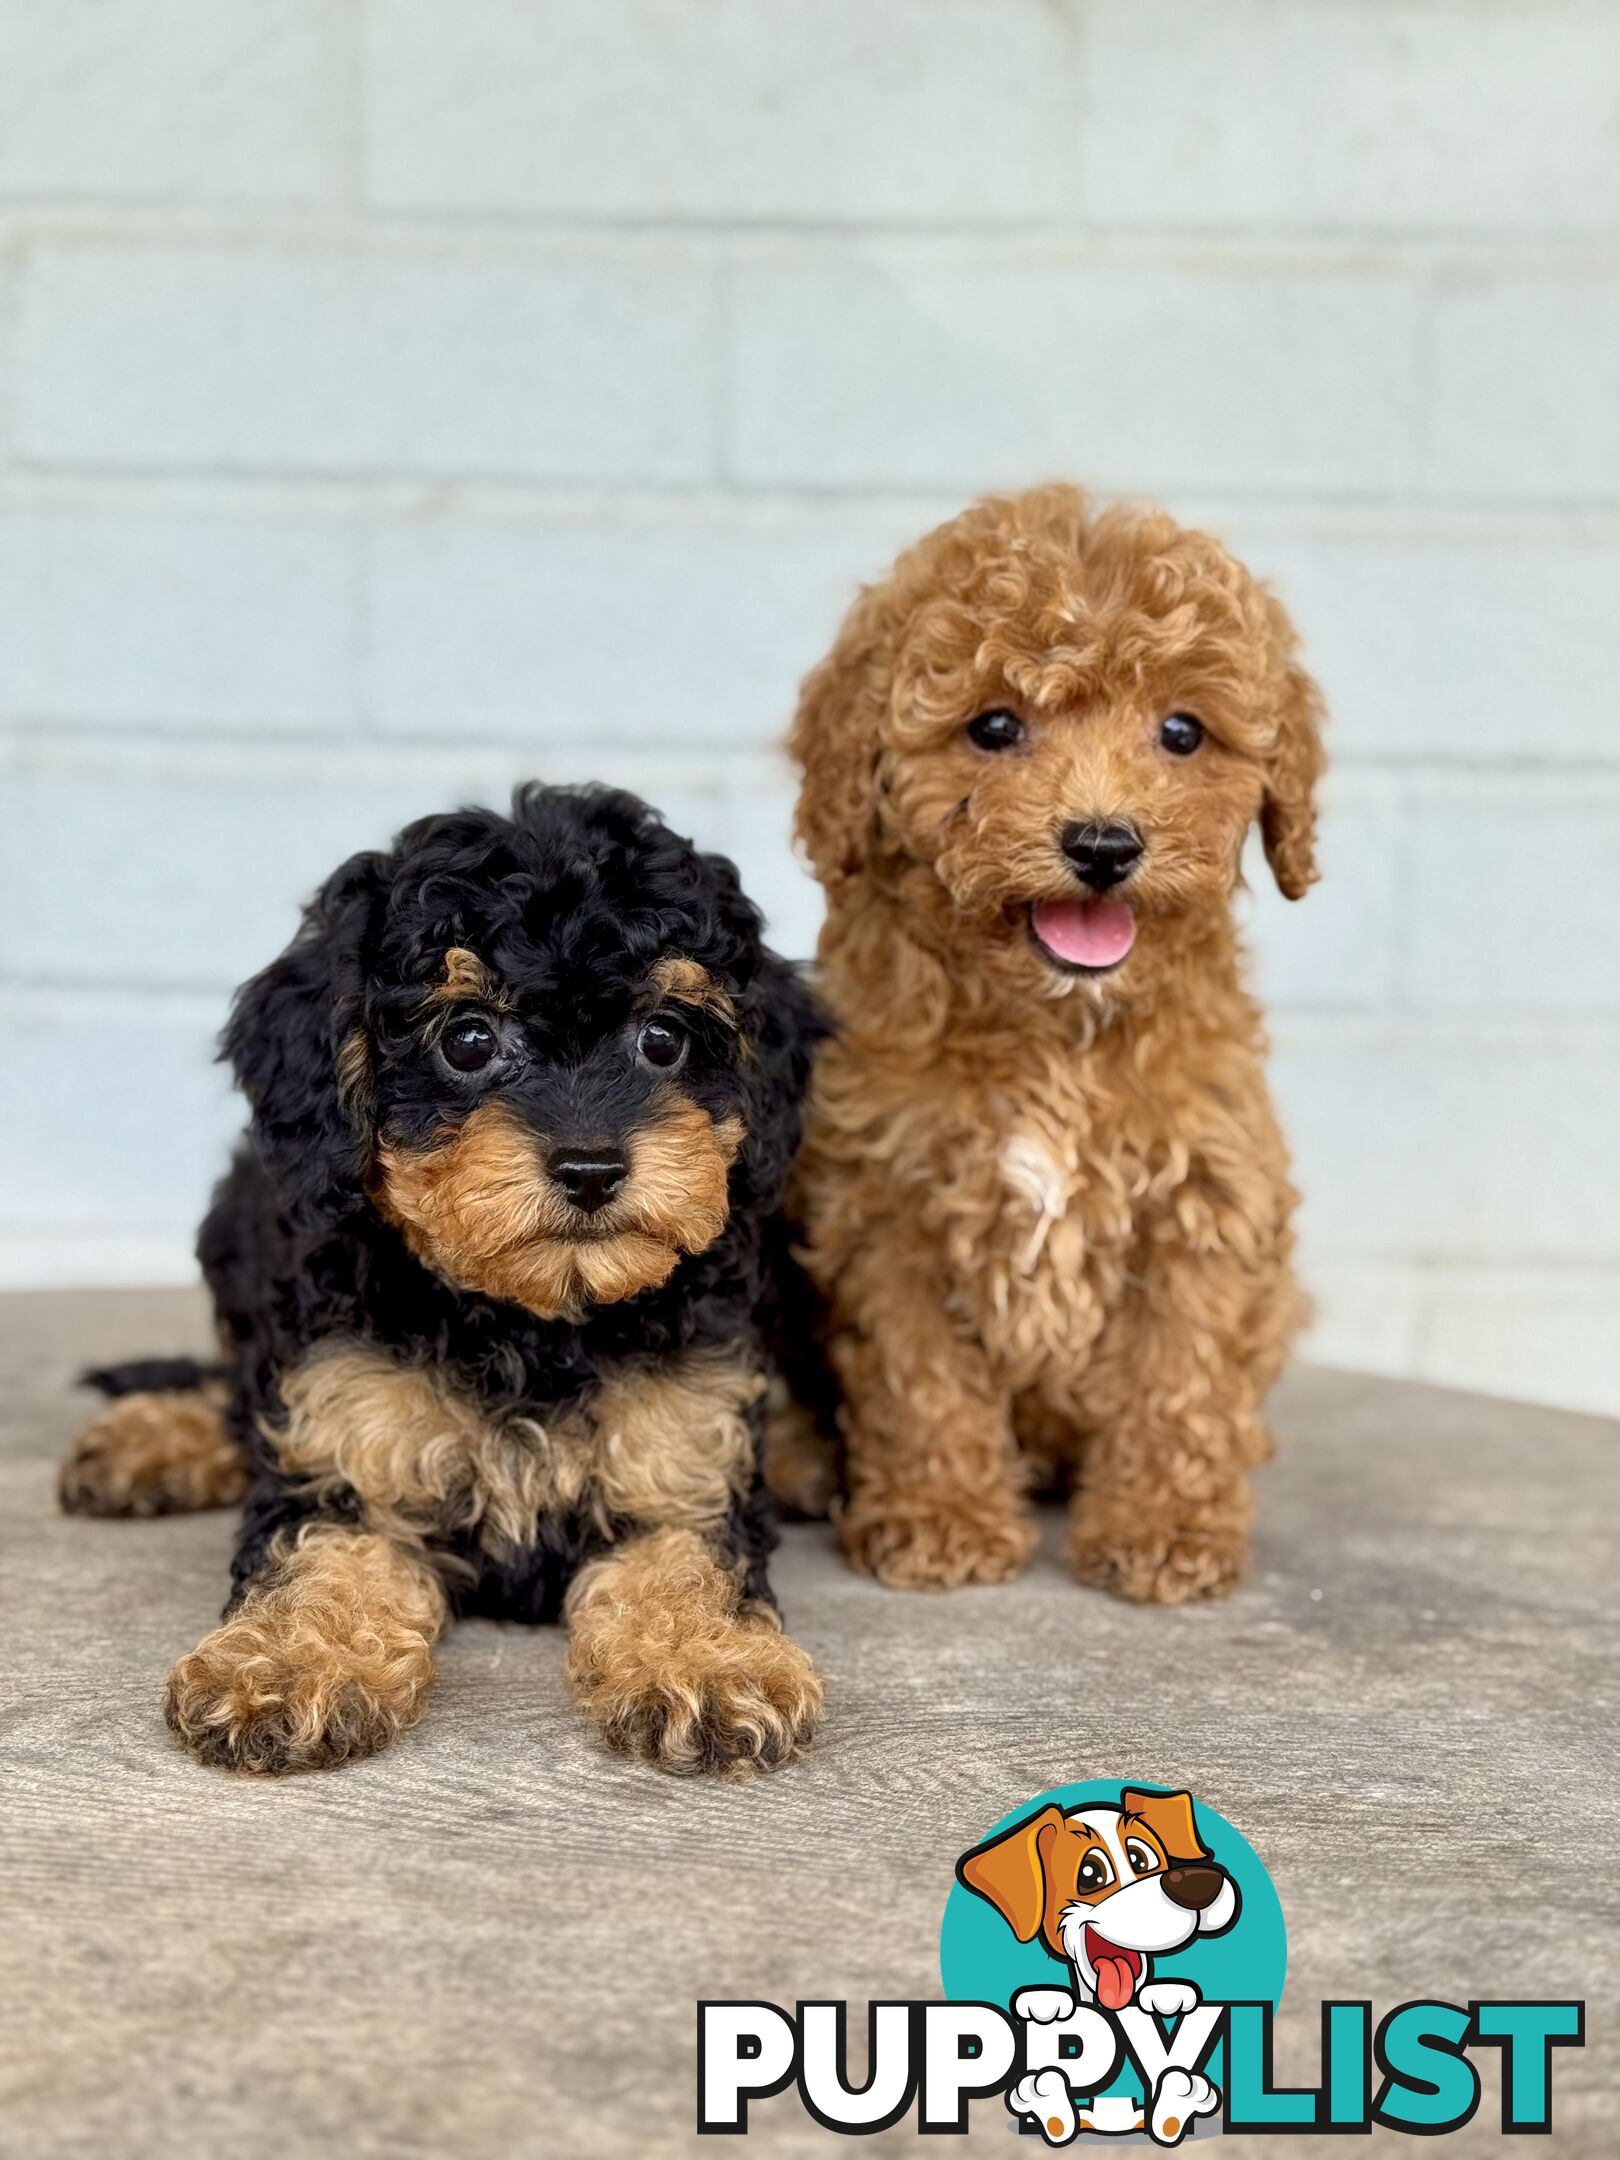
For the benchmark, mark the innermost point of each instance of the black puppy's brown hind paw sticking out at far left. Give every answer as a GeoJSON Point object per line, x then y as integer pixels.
{"type": "Point", "coordinates": [159, 1453]}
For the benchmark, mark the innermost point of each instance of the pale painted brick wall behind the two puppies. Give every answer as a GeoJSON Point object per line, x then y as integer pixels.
{"type": "Point", "coordinates": [403, 399]}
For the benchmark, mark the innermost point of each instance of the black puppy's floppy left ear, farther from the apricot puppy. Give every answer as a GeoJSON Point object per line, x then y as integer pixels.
{"type": "Point", "coordinates": [299, 1049]}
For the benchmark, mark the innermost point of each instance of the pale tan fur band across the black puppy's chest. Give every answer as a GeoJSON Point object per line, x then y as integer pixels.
{"type": "Point", "coordinates": [662, 1446]}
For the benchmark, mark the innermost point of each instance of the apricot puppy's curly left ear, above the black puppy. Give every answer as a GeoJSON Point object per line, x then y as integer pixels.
{"type": "Point", "coordinates": [837, 740]}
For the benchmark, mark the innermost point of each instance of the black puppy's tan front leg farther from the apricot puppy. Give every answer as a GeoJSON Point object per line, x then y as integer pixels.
{"type": "Point", "coordinates": [327, 1658]}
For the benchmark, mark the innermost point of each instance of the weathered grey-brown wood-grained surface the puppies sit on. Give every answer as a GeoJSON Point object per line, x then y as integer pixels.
{"type": "Point", "coordinates": [491, 1941]}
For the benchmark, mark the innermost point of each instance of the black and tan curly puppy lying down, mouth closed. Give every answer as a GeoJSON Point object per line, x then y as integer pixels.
{"type": "Point", "coordinates": [491, 1278]}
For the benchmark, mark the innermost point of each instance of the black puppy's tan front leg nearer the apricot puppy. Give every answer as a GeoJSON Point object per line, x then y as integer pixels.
{"type": "Point", "coordinates": [679, 1669]}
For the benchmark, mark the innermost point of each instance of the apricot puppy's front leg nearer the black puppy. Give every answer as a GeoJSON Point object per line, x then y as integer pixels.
{"type": "Point", "coordinates": [936, 1483]}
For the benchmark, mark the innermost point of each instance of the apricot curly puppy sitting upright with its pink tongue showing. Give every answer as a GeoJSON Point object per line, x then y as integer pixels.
{"type": "Point", "coordinates": [1044, 1193]}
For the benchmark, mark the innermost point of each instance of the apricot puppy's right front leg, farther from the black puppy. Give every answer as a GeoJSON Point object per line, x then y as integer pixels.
{"type": "Point", "coordinates": [1163, 1507]}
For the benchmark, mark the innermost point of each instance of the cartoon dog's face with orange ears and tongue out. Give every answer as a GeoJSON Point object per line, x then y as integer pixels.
{"type": "Point", "coordinates": [1107, 1887]}
